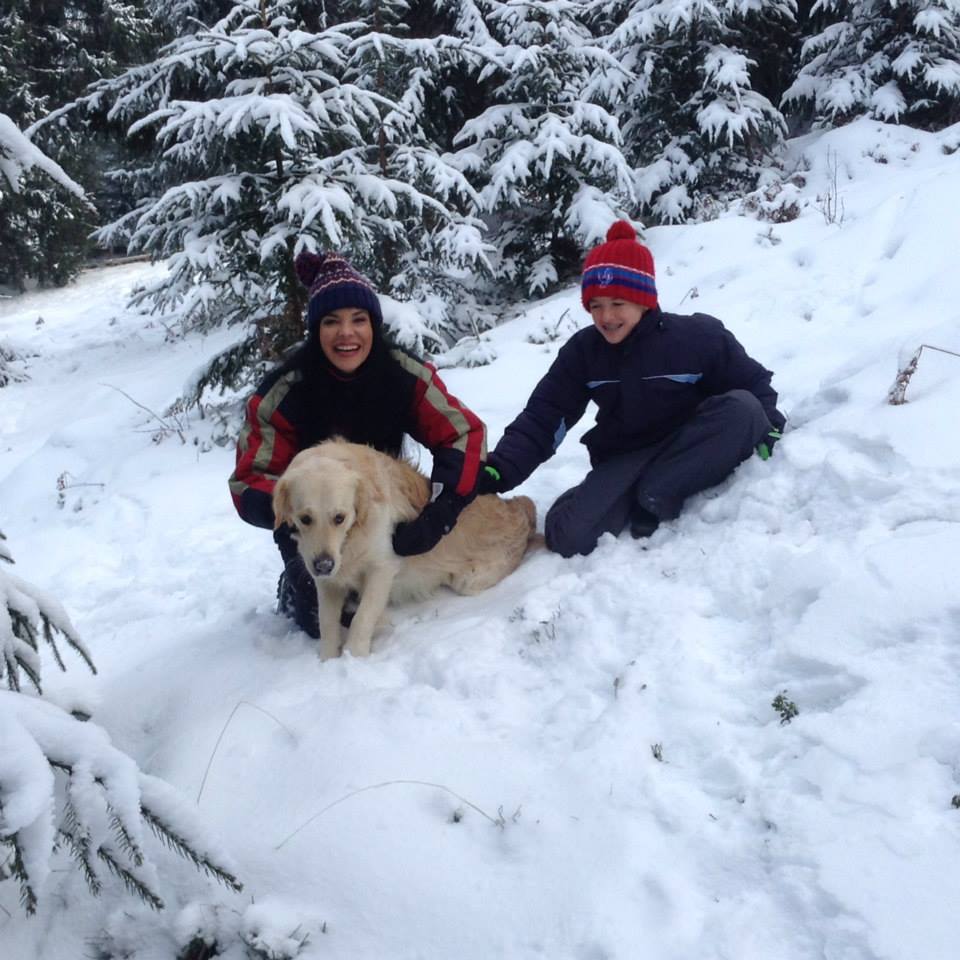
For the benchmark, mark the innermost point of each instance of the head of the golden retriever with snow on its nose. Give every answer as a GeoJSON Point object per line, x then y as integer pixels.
{"type": "Point", "coordinates": [321, 500]}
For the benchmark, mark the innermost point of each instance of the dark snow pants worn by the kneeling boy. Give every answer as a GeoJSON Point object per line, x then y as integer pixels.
{"type": "Point", "coordinates": [722, 433]}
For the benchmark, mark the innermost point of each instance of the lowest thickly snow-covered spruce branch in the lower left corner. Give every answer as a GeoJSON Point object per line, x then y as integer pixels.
{"type": "Point", "coordinates": [64, 786]}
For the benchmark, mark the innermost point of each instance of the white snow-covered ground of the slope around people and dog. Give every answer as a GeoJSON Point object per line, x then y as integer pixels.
{"type": "Point", "coordinates": [583, 762]}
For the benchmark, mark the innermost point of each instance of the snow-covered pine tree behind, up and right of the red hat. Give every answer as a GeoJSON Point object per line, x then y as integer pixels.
{"type": "Point", "coordinates": [694, 123]}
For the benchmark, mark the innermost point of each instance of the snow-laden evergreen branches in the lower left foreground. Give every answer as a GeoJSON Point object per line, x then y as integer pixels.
{"type": "Point", "coordinates": [63, 785]}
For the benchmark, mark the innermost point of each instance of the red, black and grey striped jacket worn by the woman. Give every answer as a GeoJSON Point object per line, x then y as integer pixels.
{"type": "Point", "coordinates": [306, 401]}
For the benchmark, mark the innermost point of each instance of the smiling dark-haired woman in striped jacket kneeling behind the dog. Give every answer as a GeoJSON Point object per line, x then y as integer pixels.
{"type": "Point", "coordinates": [347, 380]}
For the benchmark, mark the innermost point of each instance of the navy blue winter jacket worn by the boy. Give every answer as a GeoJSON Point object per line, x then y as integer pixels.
{"type": "Point", "coordinates": [644, 388]}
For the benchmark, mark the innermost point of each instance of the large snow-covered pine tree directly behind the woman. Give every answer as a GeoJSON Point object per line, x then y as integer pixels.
{"type": "Point", "coordinates": [267, 148]}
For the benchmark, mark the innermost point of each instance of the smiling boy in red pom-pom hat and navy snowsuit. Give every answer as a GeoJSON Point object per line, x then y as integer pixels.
{"type": "Point", "coordinates": [680, 405]}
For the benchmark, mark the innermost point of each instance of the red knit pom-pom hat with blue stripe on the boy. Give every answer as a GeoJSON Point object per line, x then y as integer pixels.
{"type": "Point", "coordinates": [622, 268]}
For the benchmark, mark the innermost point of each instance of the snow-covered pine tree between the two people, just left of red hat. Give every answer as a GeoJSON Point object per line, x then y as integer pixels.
{"type": "Point", "coordinates": [546, 151]}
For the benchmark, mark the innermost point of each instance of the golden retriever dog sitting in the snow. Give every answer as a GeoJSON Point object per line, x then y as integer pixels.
{"type": "Point", "coordinates": [343, 500]}
